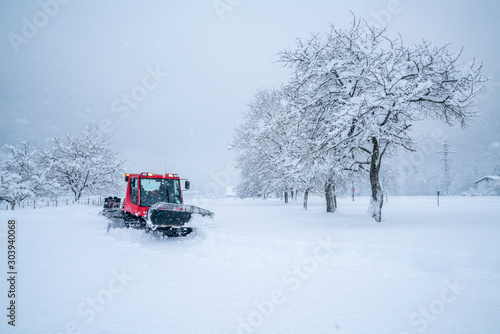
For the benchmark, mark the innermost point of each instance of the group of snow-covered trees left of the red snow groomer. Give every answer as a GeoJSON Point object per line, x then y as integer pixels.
{"type": "Point", "coordinates": [69, 164]}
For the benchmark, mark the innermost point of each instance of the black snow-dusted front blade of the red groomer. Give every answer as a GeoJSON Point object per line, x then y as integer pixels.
{"type": "Point", "coordinates": [173, 215]}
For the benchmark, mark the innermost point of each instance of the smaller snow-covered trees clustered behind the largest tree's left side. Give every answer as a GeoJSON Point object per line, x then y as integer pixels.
{"type": "Point", "coordinates": [279, 149]}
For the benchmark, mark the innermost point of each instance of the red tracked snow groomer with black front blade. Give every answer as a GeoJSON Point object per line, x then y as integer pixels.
{"type": "Point", "coordinates": [153, 202]}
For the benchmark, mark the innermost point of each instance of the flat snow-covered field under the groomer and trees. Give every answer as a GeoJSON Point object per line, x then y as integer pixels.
{"type": "Point", "coordinates": [263, 267]}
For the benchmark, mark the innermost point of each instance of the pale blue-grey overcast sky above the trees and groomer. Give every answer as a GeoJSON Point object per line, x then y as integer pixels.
{"type": "Point", "coordinates": [169, 79]}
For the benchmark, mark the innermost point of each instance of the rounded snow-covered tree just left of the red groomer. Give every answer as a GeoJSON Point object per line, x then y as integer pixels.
{"type": "Point", "coordinates": [83, 162]}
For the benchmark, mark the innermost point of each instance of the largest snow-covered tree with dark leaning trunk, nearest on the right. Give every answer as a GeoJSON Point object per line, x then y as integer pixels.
{"type": "Point", "coordinates": [372, 88]}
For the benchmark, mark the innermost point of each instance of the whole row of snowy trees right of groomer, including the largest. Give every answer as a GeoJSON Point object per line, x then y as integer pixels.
{"type": "Point", "coordinates": [351, 101]}
